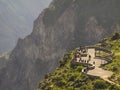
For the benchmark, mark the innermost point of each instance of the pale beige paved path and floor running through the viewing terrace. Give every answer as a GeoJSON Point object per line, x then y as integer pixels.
{"type": "Point", "coordinates": [104, 74]}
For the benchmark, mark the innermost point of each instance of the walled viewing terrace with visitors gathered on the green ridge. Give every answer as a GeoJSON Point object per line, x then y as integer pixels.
{"type": "Point", "coordinates": [89, 57]}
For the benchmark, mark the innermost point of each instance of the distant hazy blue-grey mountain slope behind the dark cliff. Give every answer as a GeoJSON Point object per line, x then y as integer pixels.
{"type": "Point", "coordinates": [16, 20]}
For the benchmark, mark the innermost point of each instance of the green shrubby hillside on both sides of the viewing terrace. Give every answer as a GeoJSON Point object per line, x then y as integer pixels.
{"type": "Point", "coordinates": [70, 77]}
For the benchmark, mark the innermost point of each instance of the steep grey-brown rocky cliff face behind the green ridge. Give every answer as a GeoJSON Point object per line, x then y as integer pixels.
{"type": "Point", "coordinates": [65, 25]}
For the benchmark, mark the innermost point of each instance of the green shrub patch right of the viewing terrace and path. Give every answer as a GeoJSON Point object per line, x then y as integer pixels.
{"type": "Point", "coordinates": [114, 43]}
